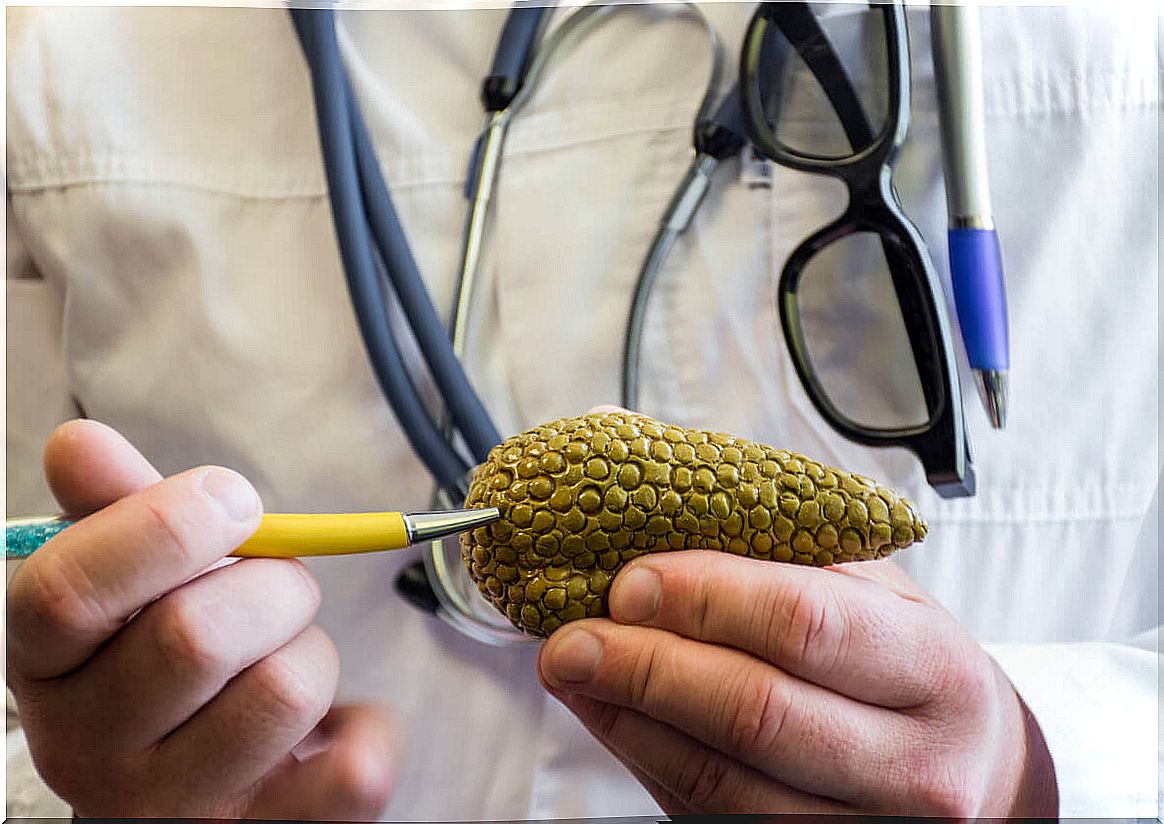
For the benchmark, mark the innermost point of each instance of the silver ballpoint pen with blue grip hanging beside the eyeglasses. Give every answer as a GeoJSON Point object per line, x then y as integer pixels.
{"type": "Point", "coordinates": [976, 261]}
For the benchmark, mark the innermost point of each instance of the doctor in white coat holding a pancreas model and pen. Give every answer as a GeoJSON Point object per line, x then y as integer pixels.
{"type": "Point", "coordinates": [173, 273]}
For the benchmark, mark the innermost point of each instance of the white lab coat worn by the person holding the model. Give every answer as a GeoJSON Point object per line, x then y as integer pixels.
{"type": "Point", "coordinates": [173, 272]}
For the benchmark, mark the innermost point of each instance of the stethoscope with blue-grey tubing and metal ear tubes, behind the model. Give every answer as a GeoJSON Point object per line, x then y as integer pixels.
{"type": "Point", "coordinates": [377, 259]}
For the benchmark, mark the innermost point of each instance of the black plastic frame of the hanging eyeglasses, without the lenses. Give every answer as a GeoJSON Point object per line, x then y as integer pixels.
{"type": "Point", "coordinates": [942, 443]}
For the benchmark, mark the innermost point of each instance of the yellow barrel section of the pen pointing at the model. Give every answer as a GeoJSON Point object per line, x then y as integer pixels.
{"type": "Point", "coordinates": [293, 536]}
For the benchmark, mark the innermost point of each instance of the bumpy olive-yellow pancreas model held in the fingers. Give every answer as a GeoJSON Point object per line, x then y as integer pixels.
{"type": "Point", "coordinates": [583, 496]}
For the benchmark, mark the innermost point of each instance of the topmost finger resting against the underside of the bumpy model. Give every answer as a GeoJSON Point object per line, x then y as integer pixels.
{"type": "Point", "coordinates": [842, 633]}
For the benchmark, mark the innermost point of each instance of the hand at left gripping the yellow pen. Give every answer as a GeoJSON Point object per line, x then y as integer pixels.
{"type": "Point", "coordinates": [151, 687]}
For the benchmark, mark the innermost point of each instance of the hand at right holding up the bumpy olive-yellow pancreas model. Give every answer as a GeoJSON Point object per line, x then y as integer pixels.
{"type": "Point", "coordinates": [729, 685]}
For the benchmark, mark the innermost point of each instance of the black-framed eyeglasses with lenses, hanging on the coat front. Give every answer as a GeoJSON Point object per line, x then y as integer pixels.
{"type": "Point", "coordinates": [860, 299]}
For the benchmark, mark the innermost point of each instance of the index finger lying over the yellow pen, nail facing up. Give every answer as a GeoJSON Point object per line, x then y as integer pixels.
{"type": "Point", "coordinates": [81, 588]}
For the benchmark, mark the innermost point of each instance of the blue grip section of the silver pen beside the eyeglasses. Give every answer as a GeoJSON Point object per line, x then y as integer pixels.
{"type": "Point", "coordinates": [980, 292]}
